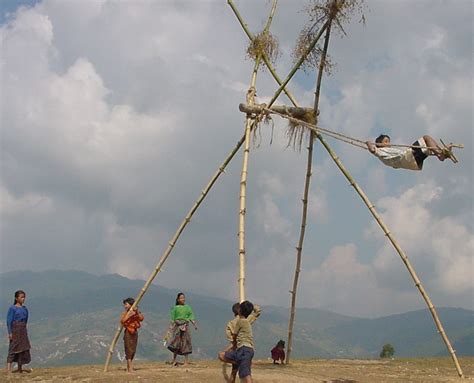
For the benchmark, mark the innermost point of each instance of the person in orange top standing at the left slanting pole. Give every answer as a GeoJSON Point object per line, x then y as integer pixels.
{"type": "Point", "coordinates": [130, 319]}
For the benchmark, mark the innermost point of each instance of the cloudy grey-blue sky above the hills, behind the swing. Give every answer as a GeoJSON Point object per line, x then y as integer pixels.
{"type": "Point", "coordinates": [116, 114]}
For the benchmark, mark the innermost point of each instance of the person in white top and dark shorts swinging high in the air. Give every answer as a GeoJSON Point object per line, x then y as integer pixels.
{"type": "Point", "coordinates": [405, 158]}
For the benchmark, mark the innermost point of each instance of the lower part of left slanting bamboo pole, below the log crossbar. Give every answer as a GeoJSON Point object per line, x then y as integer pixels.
{"type": "Point", "coordinates": [172, 243]}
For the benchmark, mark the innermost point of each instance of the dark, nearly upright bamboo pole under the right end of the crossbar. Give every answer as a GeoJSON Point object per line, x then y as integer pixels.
{"type": "Point", "coordinates": [299, 248]}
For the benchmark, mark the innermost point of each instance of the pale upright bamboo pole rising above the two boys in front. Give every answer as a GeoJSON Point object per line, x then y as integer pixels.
{"type": "Point", "coordinates": [250, 122]}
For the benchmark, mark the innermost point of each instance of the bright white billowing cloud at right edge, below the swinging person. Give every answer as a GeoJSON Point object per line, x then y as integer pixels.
{"type": "Point", "coordinates": [441, 246]}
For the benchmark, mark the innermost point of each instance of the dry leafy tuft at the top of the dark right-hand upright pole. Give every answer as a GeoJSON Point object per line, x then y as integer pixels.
{"type": "Point", "coordinates": [319, 11]}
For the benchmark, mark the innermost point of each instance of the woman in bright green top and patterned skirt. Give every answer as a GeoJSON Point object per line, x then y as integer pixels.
{"type": "Point", "coordinates": [181, 315]}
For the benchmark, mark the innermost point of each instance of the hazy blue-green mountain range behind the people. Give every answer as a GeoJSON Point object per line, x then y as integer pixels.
{"type": "Point", "coordinates": [73, 316]}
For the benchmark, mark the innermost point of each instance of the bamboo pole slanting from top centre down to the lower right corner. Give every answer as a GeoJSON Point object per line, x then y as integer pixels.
{"type": "Point", "coordinates": [369, 205]}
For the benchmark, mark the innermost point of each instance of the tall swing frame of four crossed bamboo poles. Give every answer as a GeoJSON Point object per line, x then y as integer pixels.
{"type": "Point", "coordinates": [250, 123]}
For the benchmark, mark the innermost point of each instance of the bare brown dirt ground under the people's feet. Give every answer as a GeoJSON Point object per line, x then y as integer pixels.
{"type": "Point", "coordinates": [315, 370]}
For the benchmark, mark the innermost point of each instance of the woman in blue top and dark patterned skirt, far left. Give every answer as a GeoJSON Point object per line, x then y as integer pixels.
{"type": "Point", "coordinates": [17, 317]}
